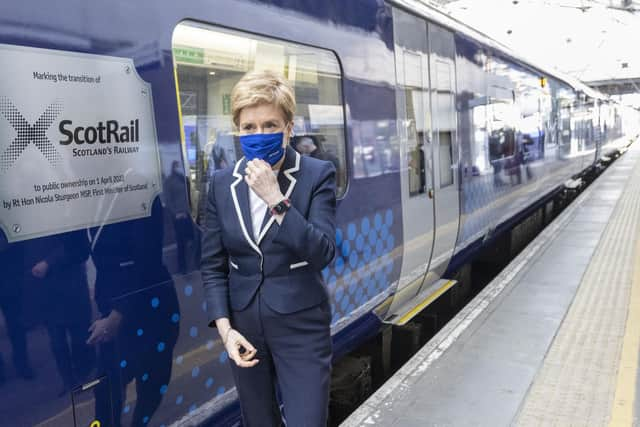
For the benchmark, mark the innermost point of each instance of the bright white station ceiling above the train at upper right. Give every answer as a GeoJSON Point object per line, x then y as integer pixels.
{"type": "Point", "coordinates": [593, 40]}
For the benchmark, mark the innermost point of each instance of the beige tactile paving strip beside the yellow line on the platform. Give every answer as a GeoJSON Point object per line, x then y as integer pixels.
{"type": "Point", "coordinates": [577, 381]}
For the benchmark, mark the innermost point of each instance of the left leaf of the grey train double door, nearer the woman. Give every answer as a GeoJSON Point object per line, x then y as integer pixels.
{"type": "Point", "coordinates": [414, 130]}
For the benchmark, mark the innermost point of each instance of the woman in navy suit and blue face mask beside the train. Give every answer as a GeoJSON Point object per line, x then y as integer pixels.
{"type": "Point", "coordinates": [269, 231]}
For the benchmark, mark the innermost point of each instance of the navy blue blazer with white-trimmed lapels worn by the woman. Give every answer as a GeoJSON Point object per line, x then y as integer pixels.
{"type": "Point", "coordinates": [285, 260]}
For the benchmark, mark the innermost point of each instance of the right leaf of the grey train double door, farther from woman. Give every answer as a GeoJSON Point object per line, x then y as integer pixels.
{"type": "Point", "coordinates": [445, 149]}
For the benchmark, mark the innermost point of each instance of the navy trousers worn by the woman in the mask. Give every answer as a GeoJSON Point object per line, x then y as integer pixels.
{"type": "Point", "coordinates": [295, 354]}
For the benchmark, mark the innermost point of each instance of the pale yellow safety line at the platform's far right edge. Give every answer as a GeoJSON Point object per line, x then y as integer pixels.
{"type": "Point", "coordinates": [623, 402]}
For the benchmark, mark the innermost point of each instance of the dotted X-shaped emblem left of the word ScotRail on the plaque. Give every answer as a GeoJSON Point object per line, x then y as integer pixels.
{"type": "Point", "coordinates": [28, 133]}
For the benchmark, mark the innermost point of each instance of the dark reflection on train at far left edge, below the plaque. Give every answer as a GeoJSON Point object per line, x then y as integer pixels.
{"type": "Point", "coordinates": [46, 306]}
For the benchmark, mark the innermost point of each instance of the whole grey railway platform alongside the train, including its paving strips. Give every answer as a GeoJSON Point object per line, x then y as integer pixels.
{"type": "Point", "coordinates": [554, 339]}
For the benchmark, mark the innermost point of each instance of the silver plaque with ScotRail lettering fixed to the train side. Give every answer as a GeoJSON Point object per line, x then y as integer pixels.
{"type": "Point", "coordinates": [78, 144]}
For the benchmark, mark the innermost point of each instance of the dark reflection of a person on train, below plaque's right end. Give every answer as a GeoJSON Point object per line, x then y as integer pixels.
{"type": "Point", "coordinates": [138, 325]}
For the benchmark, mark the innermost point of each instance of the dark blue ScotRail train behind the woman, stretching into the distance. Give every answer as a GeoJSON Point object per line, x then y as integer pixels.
{"type": "Point", "coordinates": [114, 115]}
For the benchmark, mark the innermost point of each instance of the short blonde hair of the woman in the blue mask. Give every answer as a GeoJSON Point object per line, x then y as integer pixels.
{"type": "Point", "coordinates": [263, 87]}
